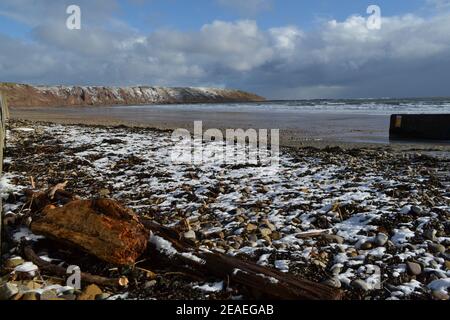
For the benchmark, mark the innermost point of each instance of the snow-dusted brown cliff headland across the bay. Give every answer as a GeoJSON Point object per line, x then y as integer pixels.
{"type": "Point", "coordinates": [20, 95]}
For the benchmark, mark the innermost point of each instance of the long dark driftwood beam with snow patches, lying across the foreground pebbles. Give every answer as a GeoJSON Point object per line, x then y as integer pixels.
{"type": "Point", "coordinates": [262, 281]}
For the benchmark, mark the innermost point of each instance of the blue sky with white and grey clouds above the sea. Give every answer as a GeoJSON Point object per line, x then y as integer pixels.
{"type": "Point", "coordinates": [285, 49]}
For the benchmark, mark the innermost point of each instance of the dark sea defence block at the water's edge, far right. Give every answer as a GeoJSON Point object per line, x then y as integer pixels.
{"type": "Point", "coordinates": [420, 127]}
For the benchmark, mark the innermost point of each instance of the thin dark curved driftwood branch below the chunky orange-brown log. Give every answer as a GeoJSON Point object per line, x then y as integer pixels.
{"type": "Point", "coordinates": [60, 271]}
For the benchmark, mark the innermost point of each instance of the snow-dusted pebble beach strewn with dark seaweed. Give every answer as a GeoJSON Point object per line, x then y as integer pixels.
{"type": "Point", "coordinates": [384, 215]}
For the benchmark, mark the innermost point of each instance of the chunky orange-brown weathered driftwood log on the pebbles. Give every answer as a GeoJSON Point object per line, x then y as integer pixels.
{"type": "Point", "coordinates": [101, 227]}
